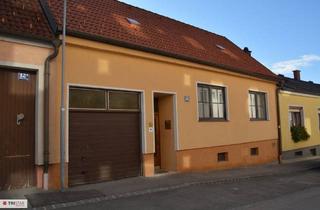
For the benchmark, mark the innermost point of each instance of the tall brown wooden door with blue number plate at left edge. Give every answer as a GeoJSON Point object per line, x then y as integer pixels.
{"type": "Point", "coordinates": [17, 129]}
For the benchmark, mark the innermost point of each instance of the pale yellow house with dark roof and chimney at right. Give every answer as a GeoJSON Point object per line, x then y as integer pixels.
{"type": "Point", "coordinates": [300, 117]}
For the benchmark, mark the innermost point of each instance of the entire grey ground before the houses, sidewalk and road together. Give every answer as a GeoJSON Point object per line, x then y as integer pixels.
{"type": "Point", "coordinates": [235, 188]}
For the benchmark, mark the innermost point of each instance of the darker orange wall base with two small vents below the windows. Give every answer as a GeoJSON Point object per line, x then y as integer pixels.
{"type": "Point", "coordinates": [238, 155]}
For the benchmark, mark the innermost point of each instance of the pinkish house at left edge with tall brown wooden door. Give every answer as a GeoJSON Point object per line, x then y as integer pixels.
{"type": "Point", "coordinates": [25, 44]}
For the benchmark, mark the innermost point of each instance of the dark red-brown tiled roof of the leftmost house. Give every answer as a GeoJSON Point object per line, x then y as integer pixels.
{"type": "Point", "coordinates": [24, 18]}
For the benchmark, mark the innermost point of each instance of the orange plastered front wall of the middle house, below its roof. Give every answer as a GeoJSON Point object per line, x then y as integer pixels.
{"type": "Point", "coordinates": [168, 108]}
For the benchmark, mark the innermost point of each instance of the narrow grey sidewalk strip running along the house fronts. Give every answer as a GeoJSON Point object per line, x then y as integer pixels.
{"type": "Point", "coordinates": [145, 185]}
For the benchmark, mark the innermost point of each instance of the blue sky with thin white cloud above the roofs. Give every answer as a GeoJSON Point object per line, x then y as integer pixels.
{"type": "Point", "coordinates": [284, 35]}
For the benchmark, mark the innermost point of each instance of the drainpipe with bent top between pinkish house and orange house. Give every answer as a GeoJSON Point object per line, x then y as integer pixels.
{"type": "Point", "coordinates": [56, 44]}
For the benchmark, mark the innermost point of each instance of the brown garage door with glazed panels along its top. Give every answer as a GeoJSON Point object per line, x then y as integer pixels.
{"type": "Point", "coordinates": [104, 144]}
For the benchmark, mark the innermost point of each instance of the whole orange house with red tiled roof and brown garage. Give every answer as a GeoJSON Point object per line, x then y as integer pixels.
{"type": "Point", "coordinates": [147, 94]}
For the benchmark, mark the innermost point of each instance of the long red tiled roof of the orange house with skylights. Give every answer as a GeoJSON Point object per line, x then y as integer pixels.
{"type": "Point", "coordinates": [108, 19]}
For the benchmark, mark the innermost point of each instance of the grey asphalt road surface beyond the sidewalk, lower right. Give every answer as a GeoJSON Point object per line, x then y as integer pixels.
{"type": "Point", "coordinates": [299, 190]}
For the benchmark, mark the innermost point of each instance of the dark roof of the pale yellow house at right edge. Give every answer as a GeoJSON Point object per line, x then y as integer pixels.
{"type": "Point", "coordinates": [300, 86]}
